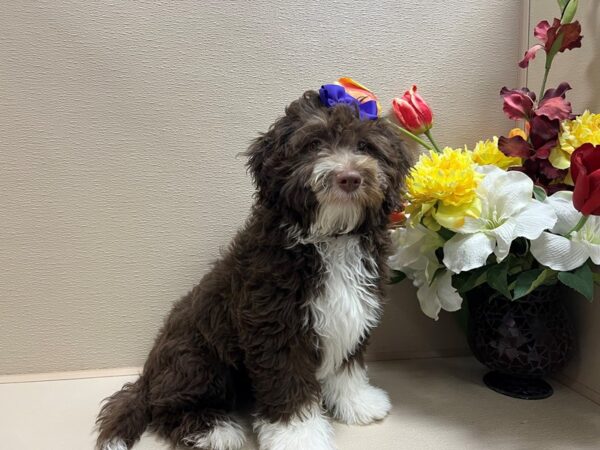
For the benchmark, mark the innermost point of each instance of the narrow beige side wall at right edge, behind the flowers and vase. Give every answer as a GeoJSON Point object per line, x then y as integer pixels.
{"type": "Point", "coordinates": [581, 69]}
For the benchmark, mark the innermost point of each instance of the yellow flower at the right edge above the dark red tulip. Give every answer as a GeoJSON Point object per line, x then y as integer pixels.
{"type": "Point", "coordinates": [574, 133]}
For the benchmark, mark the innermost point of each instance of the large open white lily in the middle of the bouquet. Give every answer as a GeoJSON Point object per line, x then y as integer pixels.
{"type": "Point", "coordinates": [508, 212]}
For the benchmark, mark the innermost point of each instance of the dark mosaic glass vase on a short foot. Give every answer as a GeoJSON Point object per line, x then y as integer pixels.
{"type": "Point", "coordinates": [521, 341]}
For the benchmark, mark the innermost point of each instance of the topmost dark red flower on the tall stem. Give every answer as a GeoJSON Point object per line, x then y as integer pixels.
{"type": "Point", "coordinates": [568, 33]}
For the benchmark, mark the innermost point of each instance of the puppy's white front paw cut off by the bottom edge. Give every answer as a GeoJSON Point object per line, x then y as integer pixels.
{"type": "Point", "coordinates": [308, 431]}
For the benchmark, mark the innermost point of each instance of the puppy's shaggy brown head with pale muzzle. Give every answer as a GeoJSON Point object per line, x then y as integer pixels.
{"type": "Point", "coordinates": [326, 171]}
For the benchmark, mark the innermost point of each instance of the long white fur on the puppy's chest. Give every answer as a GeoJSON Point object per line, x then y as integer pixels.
{"type": "Point", "coordinates": [346, 309]}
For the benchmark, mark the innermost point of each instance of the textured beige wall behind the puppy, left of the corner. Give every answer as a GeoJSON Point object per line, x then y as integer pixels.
{"type": "Point", "coordinates": [120, 123]}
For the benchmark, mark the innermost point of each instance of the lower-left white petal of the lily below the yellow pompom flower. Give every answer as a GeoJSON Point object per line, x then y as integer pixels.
{"type": "Point", "coordinates": [466, 252]}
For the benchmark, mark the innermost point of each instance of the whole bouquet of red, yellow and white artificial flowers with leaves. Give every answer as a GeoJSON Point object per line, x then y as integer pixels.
{"type": "Point", "coordinates": [512, 213]}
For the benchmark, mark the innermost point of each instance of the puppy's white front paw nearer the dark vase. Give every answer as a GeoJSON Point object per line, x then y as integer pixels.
{"type": "Point", "coordinates": [365, 406]}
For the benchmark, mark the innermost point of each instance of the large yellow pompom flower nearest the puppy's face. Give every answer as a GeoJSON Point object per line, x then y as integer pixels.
{"type": "Point", "coordinates": [441, 189]}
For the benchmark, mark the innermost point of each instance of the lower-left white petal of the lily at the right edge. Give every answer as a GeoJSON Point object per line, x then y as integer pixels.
{"type": "Point", "coordinates": [558, 252]}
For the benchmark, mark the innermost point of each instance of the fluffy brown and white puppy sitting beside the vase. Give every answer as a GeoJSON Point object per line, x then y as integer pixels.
{"type": "Point", "coordinates": [282, 319]}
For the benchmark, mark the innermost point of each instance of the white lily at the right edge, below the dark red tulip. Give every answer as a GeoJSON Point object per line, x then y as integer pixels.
{"type": "Point", "coordinates": [561, 249]}
